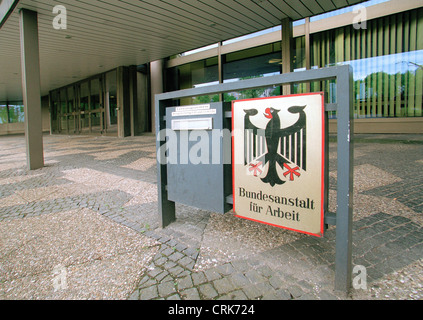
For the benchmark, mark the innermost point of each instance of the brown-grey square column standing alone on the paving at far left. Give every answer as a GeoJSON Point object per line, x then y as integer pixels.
{"type": "Point", "coordinates": [31, 90]}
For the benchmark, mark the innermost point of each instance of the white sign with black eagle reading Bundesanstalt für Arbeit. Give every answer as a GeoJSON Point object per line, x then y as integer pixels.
{"type": "Point", "coordinates": [278, 161]}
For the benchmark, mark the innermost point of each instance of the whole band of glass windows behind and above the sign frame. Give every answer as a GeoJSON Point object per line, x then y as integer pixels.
{"type": "Point", "coordinates": [386, 57]}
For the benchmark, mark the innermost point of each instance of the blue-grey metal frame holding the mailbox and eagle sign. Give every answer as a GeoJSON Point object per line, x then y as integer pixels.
{"type": "Point", "coordinates": [343, 77]}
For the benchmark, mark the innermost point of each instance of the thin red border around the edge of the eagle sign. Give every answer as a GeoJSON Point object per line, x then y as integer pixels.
{"type": "Point", "coordinates": [322, 209]}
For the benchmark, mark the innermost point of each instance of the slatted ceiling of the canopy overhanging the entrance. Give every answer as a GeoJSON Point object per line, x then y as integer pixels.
{"type": "Point", "coordinates": [104, 34]}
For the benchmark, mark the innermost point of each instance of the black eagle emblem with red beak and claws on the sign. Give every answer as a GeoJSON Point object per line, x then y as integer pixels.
{"type": "Point", "coordinates": [274, 145]}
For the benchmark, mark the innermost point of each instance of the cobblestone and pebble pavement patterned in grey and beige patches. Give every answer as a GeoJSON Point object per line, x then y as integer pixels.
{"type": "Point", "coordinates": [92, 212]}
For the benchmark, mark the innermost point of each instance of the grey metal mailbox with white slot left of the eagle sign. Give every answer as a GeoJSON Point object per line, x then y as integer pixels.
{"type": "Point", "coordinates": [201, 175]}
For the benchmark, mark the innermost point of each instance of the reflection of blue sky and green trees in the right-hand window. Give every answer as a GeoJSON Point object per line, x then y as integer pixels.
{"type": "Point", "coordinates": [389, 85]}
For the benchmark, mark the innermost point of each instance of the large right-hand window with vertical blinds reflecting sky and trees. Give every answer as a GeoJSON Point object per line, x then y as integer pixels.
{"type": "Point", "coordinates": [387, 61]}
